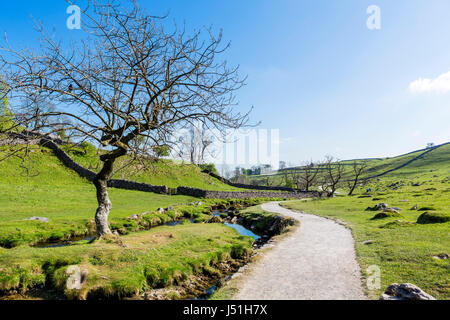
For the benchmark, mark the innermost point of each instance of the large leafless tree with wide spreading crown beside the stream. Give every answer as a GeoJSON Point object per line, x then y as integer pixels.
{"type": "Point", "coordinates": [129, 77]}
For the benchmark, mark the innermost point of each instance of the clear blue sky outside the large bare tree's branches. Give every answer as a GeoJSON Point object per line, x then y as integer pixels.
{"type": "Point", "coordinates": [315, 71]}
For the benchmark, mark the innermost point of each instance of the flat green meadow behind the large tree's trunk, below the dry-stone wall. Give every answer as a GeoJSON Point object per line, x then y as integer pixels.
{"type": "Point", "coordinates": [54, 192]}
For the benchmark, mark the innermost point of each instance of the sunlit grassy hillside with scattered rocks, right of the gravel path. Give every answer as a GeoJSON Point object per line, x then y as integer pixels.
{"type": "Point", "coordinates": [402, 245]}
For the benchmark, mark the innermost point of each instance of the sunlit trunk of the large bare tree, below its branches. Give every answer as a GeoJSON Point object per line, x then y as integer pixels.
{"type": "Point", "coordinates": [104, 204]}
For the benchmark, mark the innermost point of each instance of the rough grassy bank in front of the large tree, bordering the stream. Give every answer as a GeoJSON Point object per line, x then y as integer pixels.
{"type": "Point", "coordinates": [159, 258]}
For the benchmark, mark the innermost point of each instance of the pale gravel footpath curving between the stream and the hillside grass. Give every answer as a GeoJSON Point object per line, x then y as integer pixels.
{"type": "Point", "coordinates": [316, 262]}
